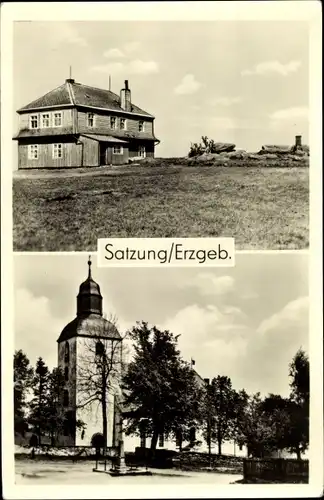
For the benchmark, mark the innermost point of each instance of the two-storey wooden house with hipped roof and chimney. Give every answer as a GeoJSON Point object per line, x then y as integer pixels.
{"type": "Point", "coordinates": [76, 125]}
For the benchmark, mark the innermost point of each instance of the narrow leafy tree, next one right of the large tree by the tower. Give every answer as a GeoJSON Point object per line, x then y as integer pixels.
{"type": "Point", "coordinates": [222, 400]}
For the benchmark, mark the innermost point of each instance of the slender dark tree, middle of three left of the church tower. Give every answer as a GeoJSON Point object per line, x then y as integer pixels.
{"type": "Point", "coordinates": [38, 417]}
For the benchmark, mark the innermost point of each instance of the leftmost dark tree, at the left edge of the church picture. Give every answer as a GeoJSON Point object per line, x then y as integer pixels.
{"type": "Point", "coordinates": [23, 374]}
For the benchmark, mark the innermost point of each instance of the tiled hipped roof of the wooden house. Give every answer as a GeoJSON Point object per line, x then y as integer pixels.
{"type": "Point", "coordinates": [77, 94]}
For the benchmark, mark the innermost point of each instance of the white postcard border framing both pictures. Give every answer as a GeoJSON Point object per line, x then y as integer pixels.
{"type": "Point", "coordinates": [276, 10]}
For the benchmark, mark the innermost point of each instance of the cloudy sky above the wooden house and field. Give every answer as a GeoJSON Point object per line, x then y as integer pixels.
{"type": "Point", "coordinates": [244, 82]}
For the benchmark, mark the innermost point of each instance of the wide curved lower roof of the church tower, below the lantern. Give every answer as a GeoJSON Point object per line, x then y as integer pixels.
{"type": "Point", "coordinates": [92, 325]}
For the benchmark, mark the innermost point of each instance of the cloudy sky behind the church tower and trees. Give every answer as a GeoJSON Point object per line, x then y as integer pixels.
{"type": "Point", "coordinates": [246, 322]}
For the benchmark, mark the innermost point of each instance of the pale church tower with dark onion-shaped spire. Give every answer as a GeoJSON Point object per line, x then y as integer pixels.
{"type": "Point", "coordinates": [90, 357]}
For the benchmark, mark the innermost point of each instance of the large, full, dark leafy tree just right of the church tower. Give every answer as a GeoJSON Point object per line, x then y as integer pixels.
{"type": "Point", "coordinates": [159, 386]}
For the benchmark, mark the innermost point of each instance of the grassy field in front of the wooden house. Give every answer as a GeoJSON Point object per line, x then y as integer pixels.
{"type": "Point", "coordinates": [261, 207]}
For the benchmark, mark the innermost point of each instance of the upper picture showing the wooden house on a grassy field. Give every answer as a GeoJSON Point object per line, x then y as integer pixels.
{"type": "Point", "coordinates": [160, 129]}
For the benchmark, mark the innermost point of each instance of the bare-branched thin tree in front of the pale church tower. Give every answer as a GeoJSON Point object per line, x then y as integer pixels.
{"type": "Point", "coordinates": [100, 369]}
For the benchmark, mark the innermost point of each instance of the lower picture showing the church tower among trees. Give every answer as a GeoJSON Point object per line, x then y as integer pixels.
{"type": "Point", "coordinates": [183, 375]}
